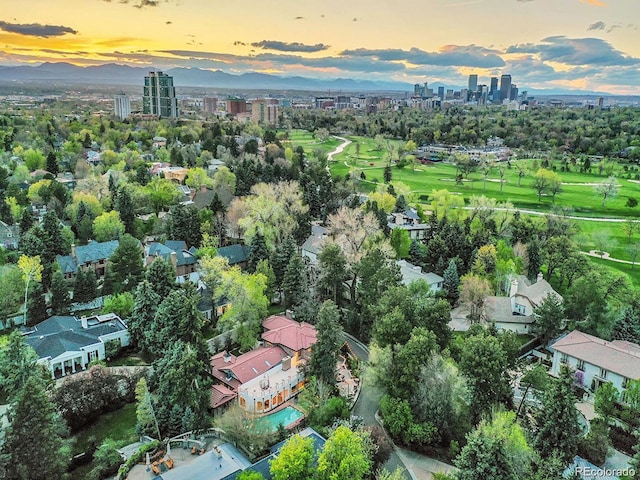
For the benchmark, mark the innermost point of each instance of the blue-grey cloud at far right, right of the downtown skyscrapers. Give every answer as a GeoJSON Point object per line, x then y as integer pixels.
{"type": "Point", "coordinates": [575, 51]}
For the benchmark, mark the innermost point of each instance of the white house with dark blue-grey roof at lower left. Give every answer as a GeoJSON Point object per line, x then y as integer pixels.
{"type": "Point", "coordinates": [68, 344]}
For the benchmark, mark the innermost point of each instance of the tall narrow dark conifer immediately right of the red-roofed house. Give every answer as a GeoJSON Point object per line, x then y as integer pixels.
{"type": "Point", "coordinates": [325, 352]}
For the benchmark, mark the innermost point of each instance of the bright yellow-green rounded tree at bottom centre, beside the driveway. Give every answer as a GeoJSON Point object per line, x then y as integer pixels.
{"type": "Point", "coordinates": [344, 456]}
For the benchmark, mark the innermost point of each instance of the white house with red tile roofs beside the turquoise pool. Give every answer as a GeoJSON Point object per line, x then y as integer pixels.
{"type": "Point", "coordinates": [265, 378]}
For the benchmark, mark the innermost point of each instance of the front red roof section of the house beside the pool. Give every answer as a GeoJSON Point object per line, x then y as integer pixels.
{"type": "Point", "coordinates": [247, 366]}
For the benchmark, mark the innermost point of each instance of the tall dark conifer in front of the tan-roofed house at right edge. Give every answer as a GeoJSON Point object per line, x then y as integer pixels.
{"type": "Point", "coordinates": [559, 430]}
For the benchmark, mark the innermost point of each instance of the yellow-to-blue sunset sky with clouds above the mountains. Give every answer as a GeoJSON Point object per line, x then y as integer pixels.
{"type": "Point", "coordinates": [582, 44]}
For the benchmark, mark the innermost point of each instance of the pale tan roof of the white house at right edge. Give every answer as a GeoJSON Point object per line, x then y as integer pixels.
{"type": "Point", "coordinates": [618, 356]}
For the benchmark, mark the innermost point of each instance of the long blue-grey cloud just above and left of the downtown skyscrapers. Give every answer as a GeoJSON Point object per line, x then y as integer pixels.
{"type": "Point", "coordinates": [449, 55]}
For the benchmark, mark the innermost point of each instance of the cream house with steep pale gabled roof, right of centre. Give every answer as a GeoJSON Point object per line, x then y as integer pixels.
{"type": "Point", "coordinates": [515, 312]}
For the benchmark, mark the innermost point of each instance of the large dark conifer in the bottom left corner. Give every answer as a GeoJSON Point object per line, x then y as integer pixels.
{"type": "Point", "coordinates": [33, 445]}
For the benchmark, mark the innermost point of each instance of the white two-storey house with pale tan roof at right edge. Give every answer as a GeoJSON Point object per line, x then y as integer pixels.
{"type": "Point", "coordinates": [597, 361]}
